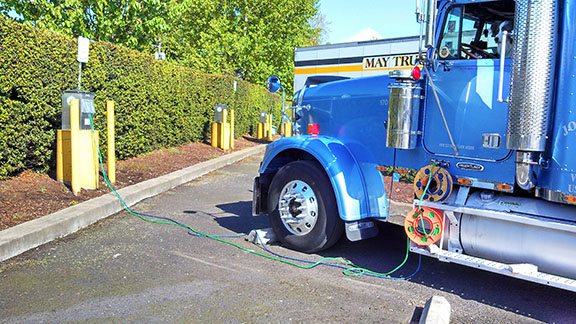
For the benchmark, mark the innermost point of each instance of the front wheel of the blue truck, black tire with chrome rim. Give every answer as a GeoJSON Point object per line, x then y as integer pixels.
{"type": "Point", "coordinates": [302, 207]}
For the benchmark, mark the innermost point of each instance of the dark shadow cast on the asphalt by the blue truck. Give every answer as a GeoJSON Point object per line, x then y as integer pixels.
{"type": "Point", "coordinates": [388, 250]}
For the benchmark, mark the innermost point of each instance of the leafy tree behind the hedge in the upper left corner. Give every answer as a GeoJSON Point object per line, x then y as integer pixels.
{"type": "Point", "coordinates": [134, 23]}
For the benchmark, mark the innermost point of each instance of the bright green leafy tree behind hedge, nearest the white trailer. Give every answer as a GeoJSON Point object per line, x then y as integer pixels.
{"type": "Point", "coordinates": [257, 37]}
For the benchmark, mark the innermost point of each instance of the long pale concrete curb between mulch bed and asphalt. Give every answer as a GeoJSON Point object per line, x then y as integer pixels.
{"type": "Point", "coordinates": [29, 235]}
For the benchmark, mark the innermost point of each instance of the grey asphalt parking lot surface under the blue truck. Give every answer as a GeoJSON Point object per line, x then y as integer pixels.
{"type": "Point", "coordinates": [123, 269]}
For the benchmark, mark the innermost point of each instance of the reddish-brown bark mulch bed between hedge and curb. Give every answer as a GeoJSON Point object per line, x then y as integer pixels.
{"type": "Point", "coordinates": [31, 195]}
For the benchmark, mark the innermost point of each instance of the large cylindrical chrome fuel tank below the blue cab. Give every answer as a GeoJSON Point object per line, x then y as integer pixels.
{"type": "Point", "coordinates": [521, 230]}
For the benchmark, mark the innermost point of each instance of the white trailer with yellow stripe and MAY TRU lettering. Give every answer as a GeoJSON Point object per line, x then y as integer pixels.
{"type": "Point", "coordinates": [353, 60]}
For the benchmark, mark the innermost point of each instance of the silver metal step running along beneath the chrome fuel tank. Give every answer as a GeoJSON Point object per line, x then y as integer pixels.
{"type": "Point", "coordinates": [520, 271]}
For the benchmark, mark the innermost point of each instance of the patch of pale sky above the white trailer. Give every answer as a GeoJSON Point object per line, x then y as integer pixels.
{"type": "Point", "coordinates": [356, 20]}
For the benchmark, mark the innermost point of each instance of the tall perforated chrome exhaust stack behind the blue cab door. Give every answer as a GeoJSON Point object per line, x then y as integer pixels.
{"type": "Point", "coordinates": [531, 84]}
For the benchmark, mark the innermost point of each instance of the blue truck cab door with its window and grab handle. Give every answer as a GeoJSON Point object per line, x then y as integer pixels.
{"type": "Point", "coordinates": [465, 77]}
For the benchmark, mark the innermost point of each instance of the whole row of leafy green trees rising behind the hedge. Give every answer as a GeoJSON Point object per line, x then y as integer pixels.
{"type": "Point", "coordinates": [254, 37]}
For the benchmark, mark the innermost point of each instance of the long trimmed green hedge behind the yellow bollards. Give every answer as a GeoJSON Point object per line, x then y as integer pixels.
{"type": "Point", "coordinates": [157, 104]}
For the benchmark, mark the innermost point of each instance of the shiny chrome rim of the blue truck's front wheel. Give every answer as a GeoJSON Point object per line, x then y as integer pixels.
{"type": "Point", "coordinates": [298, 207]}
